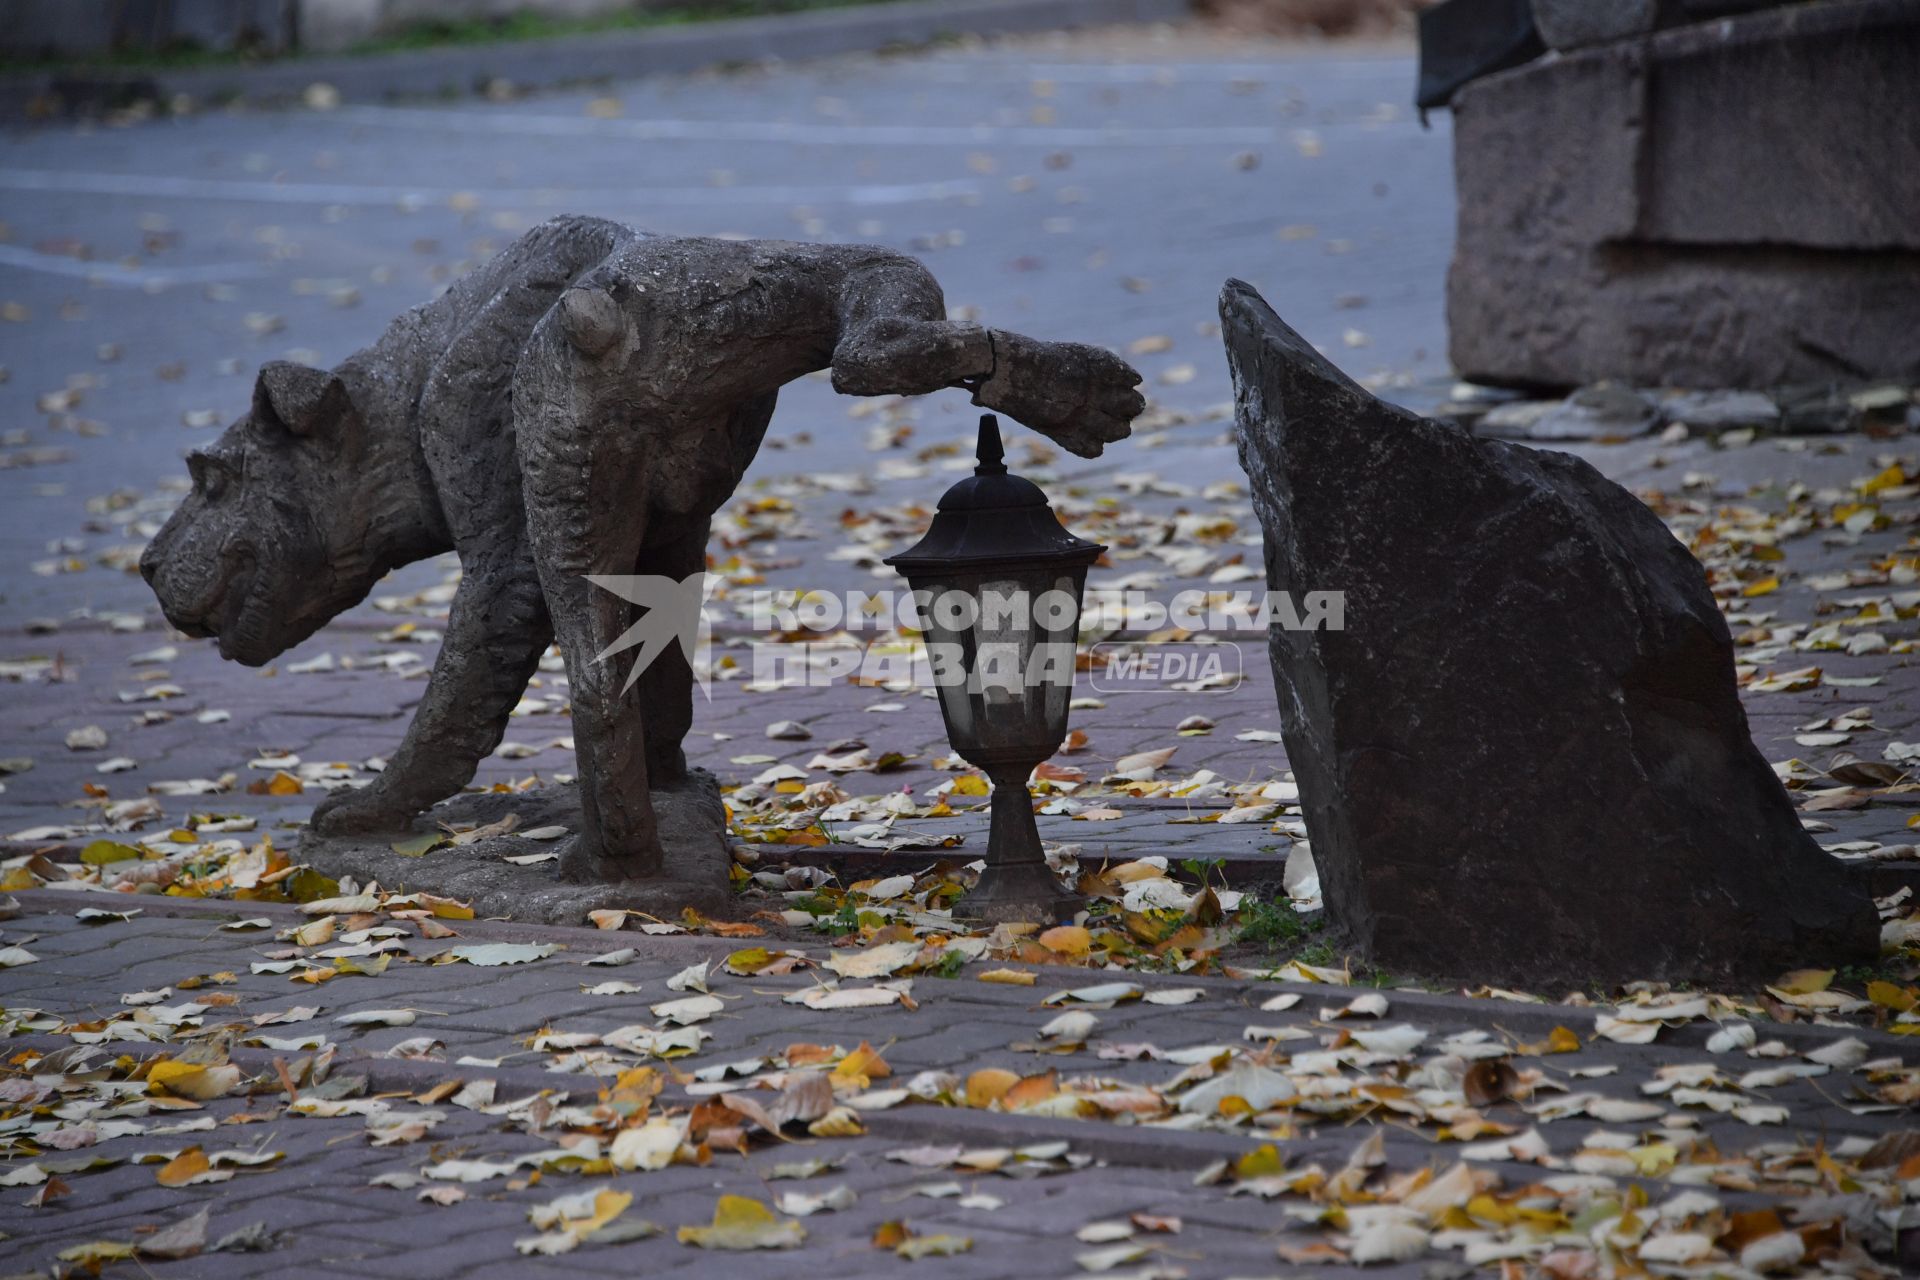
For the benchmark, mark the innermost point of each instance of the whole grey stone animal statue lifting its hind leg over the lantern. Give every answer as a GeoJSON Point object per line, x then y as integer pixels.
{"type": "Point", "coordinates": [579, 406]}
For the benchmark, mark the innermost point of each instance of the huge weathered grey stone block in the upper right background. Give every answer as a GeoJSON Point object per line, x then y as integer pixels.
{"type": "Point", "coordinates": [1710, 206]}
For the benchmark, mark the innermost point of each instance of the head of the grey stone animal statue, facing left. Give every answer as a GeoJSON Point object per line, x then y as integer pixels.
{"type": "Point", "coordinates": [274, 538]}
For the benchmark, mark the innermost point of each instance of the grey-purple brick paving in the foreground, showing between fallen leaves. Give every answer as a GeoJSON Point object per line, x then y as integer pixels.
{"type": "Point", "coordinates": [329, 1218]}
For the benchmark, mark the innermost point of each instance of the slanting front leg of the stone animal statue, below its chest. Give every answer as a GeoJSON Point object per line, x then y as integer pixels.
{"type": "Point", "coordinates": [496, 632]}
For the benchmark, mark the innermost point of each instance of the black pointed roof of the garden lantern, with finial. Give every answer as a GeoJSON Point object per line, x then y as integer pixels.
{"type": "Point", "coordinates": [994, 519]}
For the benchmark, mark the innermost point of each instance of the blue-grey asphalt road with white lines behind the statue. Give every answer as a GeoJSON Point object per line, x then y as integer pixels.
{"type": "Point", "coordinates": [1080, 187]}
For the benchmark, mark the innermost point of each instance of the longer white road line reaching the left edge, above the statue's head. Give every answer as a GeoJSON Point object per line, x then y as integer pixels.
{"type": "Point", "coordinates": [425, 197]}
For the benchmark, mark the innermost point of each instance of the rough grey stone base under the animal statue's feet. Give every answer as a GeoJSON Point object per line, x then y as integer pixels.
{"type": "Point", "coordinates": [692, 834]}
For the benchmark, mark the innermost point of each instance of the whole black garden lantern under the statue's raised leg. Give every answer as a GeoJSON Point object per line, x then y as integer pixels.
{"type": "Point", "coordinates": [999, 586]}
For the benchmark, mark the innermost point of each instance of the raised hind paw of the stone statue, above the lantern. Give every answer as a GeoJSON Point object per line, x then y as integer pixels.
{"type": "Point", "coordinates": [1084, 398]}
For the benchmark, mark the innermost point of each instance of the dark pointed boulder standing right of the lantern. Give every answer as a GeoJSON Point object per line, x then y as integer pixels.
{"type": "Point", "coordinates": [1531, 719]}
